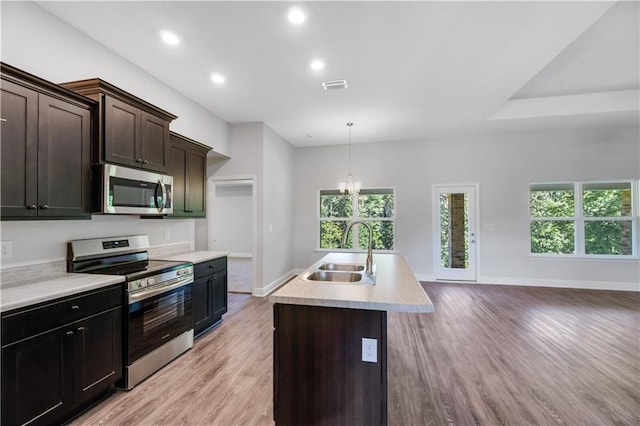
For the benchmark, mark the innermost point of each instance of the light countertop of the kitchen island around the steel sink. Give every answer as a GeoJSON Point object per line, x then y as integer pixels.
{"type": "Point", "coordinates": [396, 287]}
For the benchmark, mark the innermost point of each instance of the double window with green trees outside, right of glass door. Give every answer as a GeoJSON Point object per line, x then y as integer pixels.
{"type": "Point", "coordinates": [583, 219]}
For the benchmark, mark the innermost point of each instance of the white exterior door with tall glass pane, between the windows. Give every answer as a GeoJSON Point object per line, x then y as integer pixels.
{"type": "Point", "coordinates": [455, 237]}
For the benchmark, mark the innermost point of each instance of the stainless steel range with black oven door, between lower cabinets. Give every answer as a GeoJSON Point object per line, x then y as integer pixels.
{"type": "Point", "coordinates": [158, 324]}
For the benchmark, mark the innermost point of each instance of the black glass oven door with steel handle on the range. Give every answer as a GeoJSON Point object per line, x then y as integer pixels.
{"type": "Point", "coordinates": [157, 315]}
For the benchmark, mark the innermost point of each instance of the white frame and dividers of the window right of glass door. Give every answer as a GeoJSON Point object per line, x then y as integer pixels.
{"type": "Point", "coordinates": [580, 219]}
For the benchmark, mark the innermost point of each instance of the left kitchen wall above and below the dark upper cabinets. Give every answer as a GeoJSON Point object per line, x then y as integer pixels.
{"type": "Point", "coordinates": [41, 44]}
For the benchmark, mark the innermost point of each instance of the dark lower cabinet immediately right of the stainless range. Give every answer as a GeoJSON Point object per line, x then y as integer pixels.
{"type": "Point", "coordinates": [209, 294]}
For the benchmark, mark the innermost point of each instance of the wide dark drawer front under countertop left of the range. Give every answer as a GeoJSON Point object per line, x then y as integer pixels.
{"type": "Point", "coordinates": [31, 321]}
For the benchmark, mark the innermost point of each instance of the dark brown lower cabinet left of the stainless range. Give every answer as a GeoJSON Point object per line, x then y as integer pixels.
{"type": "Point", "coordinates": [52, 375]}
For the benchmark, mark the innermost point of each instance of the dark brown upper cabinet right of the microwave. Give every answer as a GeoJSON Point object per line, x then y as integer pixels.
{"type": "Point", "coordinates": [188, 166]}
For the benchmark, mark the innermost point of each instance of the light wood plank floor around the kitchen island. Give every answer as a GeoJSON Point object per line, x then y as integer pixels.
{"type": "Point", "coordinates": [489, 355]}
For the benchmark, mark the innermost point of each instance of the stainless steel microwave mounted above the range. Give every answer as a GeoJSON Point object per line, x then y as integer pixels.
{"type": "Point", "coordinates": [132, 191]}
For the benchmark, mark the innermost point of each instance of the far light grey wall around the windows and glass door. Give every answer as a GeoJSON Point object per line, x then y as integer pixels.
{"type": "Point", "coordinates": [503, 166]}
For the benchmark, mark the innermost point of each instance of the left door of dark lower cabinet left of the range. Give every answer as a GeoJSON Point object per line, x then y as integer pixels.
{"type": "Point", "coordinates": [36, 379]}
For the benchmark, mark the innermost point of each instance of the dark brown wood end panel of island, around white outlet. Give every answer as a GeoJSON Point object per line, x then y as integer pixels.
{"type": "Point", "coordinates": [319, 375]}
